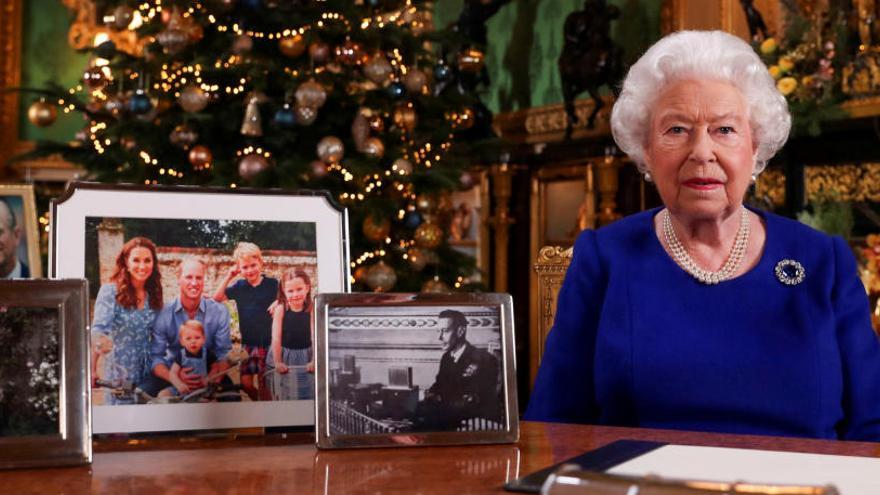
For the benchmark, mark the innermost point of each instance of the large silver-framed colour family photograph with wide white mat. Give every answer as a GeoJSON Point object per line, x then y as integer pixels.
{"type": "Point", "coordinates": [201, 300]}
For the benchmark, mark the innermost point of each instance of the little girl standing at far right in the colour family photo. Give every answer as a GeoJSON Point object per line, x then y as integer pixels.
{"type": "Point", "coordinates": [290, 352]}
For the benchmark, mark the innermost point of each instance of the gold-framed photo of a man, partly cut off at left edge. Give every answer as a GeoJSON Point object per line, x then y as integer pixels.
{"type": "Point", "coordinates": [19, 235]}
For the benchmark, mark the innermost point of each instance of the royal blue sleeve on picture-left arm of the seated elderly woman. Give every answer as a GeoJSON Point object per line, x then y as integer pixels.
{"type": "Point", "coordinates": [564, 389]}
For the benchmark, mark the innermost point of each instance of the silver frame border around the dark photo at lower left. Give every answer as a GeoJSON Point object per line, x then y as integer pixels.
{"type": "Point", "coordinates": [72, 445]}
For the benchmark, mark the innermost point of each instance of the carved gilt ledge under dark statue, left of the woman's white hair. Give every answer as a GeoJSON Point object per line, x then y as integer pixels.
{"type": "Point", "coordinates": [547, 124]}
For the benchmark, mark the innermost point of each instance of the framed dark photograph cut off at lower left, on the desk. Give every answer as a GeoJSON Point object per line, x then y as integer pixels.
{"type": "Point", "coordinates": [44, 393]}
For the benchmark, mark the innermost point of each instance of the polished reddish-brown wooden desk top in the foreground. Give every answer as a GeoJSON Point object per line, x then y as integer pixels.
{"type": "Point", "coordinates": [291, 464]}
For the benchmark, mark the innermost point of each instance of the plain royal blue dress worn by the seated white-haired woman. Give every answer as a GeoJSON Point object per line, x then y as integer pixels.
{"type": "Point", "coordinates": [639, 342]}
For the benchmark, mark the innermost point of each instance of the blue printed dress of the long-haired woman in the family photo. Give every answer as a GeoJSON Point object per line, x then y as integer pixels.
{"type": "Point", "coordinates": [129, 330]}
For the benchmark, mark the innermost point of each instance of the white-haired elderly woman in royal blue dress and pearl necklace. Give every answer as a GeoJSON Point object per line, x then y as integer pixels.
{"type": "Point", "coordinates": [706, 315]}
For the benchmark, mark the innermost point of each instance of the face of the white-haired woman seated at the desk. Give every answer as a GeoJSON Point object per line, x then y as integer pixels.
{"type": "Point", "coordinates": [700, 150]}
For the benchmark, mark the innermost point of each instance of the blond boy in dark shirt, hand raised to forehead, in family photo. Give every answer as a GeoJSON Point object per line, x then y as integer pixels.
{"type": "Point", "coordinates": [253, 294]}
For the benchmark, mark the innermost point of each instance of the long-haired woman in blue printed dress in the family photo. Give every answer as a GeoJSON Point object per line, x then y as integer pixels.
{"type": "Point", "coordinates": [125, 310]}
